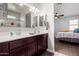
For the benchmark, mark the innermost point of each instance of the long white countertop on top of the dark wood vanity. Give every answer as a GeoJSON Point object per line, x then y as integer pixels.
{"type": "Point", "coordinates": [10, 38]}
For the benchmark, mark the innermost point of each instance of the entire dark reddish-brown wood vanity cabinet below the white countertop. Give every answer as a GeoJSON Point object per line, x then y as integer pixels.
{"type": "Point", "coordinates": [31, 46]}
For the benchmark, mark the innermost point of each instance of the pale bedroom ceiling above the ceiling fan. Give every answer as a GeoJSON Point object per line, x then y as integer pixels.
{"type": "Point", "coordinates": [68, 9]}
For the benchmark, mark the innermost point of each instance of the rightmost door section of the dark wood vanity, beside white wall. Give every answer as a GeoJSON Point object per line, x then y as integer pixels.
{"type": "Point", "coordinates": [42, 43]}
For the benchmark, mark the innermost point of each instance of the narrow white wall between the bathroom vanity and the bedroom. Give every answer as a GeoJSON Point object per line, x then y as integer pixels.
{"type": "Point", "coordinates": [48, 9]}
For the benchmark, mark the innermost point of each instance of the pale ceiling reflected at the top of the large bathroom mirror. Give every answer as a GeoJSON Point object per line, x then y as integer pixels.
{"type": "Point", "coordinates": [18, 8]}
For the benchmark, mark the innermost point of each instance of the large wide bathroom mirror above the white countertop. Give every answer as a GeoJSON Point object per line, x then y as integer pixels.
{"type": "Point", "coordinates": [20, 15]}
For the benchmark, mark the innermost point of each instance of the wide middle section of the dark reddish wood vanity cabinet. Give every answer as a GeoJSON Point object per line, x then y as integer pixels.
{"type": "Point", "coordinates": [23, 47]}
